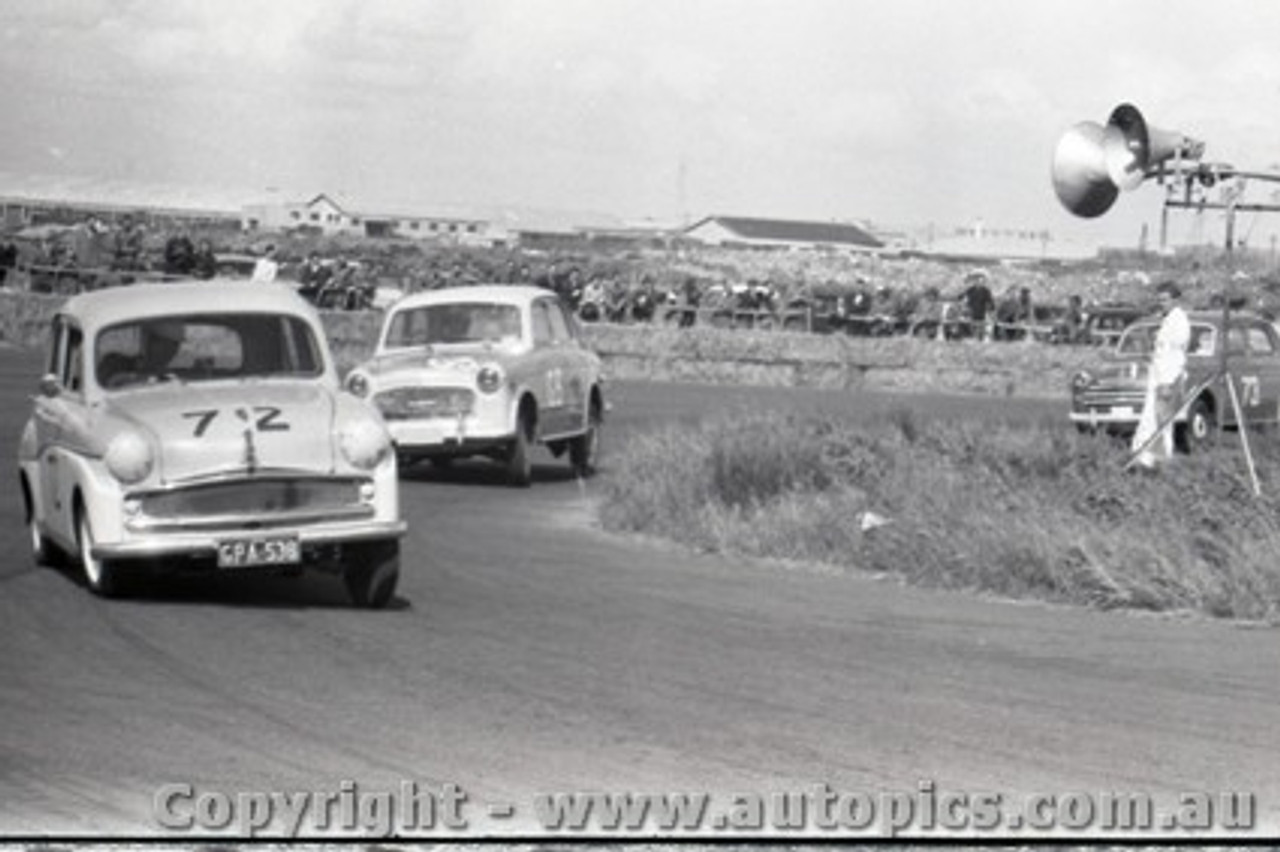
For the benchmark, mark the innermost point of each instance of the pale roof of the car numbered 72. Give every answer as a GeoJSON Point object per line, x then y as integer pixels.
{"type": "Point", "coordinates": [100, 309]}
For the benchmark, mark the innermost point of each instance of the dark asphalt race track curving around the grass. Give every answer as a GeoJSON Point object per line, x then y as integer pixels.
{"type": "Point", "coordinates": [529, 653]}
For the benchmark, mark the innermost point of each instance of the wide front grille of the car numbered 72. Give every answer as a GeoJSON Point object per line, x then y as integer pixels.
{"type": "Point", "coordinates": [254, 498]}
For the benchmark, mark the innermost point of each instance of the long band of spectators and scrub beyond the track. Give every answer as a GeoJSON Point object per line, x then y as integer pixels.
{"type": "Point", "coordinates": [682, 285]}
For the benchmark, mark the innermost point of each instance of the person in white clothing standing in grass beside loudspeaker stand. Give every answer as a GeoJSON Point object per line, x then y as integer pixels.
{"type": "Point", "coordinates": [1165, 379]}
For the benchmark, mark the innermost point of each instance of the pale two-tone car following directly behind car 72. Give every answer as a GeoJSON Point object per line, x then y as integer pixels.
{"type": "Point", "coordinates": [487, 370]}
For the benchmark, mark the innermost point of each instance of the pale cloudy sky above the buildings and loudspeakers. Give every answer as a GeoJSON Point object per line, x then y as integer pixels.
{"type": "Point", "coordinates": [904, 113]}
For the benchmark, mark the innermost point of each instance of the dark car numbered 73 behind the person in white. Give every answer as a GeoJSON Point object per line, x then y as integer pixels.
{"type": "Point", "coordinates": [1112, 396]}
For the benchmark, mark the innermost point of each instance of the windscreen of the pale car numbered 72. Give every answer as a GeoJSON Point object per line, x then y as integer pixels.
{"type": "Point", "coordinates": [205, 347]}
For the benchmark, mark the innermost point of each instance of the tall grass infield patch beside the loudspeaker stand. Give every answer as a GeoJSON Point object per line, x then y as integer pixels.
{"type": "Point", "coordinates": [1023, 512]}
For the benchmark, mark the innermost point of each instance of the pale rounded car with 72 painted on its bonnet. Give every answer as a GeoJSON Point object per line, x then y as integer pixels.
{"type": "Point", "coordinates": [202, 427]}
